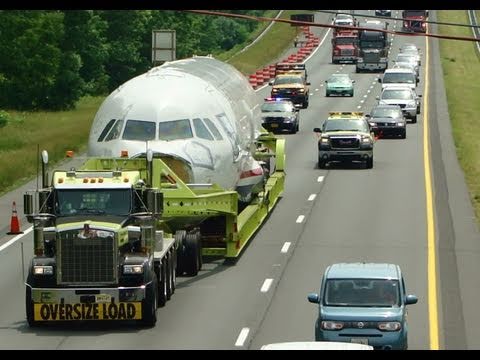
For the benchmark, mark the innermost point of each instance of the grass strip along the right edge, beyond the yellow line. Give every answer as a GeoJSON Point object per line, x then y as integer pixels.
{"type": "Point", "coordinates": [461, 67]}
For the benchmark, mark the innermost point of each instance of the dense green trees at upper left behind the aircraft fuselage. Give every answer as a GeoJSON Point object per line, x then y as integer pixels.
{"type": "Point", "coordinates": [49, 59]}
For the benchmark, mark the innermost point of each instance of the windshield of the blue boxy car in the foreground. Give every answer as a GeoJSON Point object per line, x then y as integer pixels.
{"type": "Point", "coordinates": [362, 293]}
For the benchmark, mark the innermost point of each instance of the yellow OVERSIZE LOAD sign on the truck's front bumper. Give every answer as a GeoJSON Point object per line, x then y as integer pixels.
{"type": "Point", "coordinates": [93, 311]}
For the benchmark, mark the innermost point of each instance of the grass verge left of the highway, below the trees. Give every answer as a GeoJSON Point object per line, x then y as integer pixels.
{"type": "Point", "coordinates": [68, 130]}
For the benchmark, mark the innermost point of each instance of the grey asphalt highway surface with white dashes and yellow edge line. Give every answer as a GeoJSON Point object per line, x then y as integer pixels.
{"type": "Point", "coordinates": [339, 214]}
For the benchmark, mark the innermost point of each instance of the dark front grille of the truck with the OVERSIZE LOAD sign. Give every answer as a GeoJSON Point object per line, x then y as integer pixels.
{"type": "Point", "coordinates": [86, 260]}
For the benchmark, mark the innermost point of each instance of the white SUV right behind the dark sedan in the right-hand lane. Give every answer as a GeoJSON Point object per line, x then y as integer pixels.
{"type": "Point", "coordinates": [405, 97]}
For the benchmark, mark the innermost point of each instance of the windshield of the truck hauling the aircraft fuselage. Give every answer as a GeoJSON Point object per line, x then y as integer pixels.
{"type": "Point", "coordinates": [88, 201]}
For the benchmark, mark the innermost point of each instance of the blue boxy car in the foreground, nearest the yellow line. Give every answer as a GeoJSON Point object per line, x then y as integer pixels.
{"type": "Point", "coordinates": [363, 303]}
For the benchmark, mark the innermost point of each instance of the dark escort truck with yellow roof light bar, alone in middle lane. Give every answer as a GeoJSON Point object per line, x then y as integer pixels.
{"type": "Point", "coordinates": [345, 136]}
